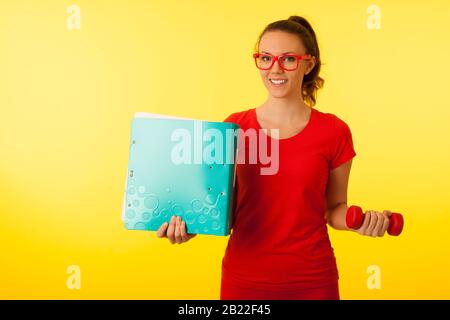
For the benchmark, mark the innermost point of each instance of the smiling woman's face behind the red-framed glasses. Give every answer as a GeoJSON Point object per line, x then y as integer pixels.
{"type": "Point", "coordinates": [277, 43]}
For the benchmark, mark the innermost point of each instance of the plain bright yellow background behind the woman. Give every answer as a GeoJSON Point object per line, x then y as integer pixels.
{"type": "Point", "coordinates": [67, 98]}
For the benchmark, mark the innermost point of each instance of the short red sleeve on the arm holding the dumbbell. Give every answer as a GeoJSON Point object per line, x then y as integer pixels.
{"type": "Point", "coordinates": [342, 149]}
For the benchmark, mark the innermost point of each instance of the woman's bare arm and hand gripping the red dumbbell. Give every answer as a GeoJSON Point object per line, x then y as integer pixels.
{"type": "Point", "coordinates": [374, 224]}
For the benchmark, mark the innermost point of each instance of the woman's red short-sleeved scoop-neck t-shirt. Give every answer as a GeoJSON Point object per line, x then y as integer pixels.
{"type": "Point", "coordinates": [279, 238]}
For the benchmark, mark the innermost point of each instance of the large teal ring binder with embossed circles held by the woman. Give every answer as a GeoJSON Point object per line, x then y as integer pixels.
{"type": "Point", "coordinates": [183, 167]}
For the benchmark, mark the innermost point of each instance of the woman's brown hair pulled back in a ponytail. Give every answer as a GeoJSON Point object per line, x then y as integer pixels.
{"type": "Point", "coordinates": [301, 27]}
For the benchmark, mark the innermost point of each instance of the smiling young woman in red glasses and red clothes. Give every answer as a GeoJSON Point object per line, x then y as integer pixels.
{"type": "Point", "coordinates": [279, 247]}
